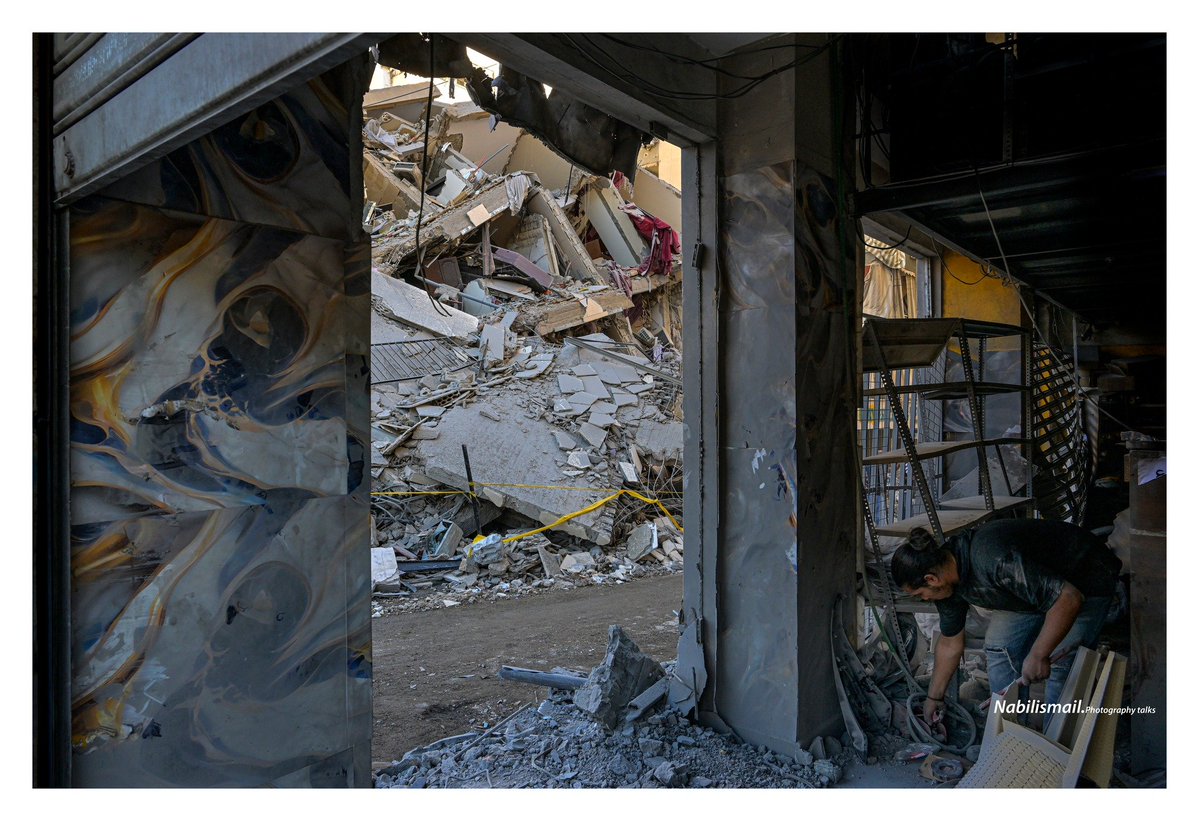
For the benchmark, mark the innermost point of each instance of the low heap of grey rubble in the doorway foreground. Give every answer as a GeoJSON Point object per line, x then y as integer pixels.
{"type": "Point", "coordinates": [629, 742]}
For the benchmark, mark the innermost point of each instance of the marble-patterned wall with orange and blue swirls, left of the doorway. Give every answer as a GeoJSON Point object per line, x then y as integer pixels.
{"type": "Point", "coordinates": [221, 578]}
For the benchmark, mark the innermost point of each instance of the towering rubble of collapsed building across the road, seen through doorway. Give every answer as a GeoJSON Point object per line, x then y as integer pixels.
{"type": "Point", "coordinates": [540, 330]}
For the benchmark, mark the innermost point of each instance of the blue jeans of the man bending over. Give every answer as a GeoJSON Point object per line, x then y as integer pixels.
{"type": "Point", "coordinates": [1011, 636]}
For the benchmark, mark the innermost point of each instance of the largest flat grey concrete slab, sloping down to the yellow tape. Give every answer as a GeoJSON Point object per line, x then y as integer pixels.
{"type": "Point", "coordinates": [496, 448]}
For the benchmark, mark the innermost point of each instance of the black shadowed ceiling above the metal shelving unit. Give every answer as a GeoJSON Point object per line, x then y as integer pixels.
{"type": "Point", "coordinates": [1045, 150]}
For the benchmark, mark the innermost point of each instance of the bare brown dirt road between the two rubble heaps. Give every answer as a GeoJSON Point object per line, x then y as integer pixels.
{"type": "Point", "coordinates": [437, 673]}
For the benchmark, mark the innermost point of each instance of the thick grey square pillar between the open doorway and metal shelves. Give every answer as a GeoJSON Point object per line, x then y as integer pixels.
{"type": "Point", "coordinates": [786, 297]}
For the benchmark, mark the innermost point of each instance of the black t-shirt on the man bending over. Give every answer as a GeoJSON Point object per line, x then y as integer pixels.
{"type": "Point", "coordinates": [1020, 565]}
